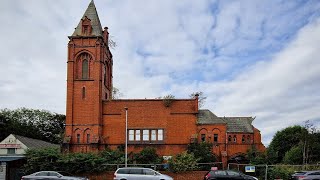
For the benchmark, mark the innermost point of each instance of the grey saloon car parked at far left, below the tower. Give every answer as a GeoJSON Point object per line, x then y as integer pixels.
{"type": "Point", "coordinates": [52, 175]}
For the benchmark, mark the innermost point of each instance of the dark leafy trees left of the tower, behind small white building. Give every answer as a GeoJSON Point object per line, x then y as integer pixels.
{"type": "Point", "coordinates": [33, 123]}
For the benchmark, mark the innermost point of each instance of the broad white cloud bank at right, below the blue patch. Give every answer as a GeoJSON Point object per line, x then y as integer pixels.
{"type": "Point", "coordinates": [281, 92]}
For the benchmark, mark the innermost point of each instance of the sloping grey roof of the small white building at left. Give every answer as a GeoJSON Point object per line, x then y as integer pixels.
{"type": "Point", "coordinates": [35, 143]}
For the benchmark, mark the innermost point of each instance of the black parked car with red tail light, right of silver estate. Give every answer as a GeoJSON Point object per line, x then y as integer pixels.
{"type": "Point", "coordinates": [226, 174]}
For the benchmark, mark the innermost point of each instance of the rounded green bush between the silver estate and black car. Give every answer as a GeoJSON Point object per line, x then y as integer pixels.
{"type": "Point", "coordinates": [183, 162]}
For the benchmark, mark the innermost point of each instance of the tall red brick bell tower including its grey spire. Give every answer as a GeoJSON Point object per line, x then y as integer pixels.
{"type": "Point", "coordinates": [89, 82]}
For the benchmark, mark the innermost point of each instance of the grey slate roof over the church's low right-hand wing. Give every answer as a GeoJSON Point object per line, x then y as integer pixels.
{"type": "Point", "coordinates": [234, 124]}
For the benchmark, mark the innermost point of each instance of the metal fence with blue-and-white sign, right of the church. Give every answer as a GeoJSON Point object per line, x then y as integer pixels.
{"type": "Point", "coordinates": [270, 172]}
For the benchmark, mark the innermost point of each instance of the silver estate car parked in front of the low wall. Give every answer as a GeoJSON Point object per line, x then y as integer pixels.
{"type": "Point", "coordinates": [137, 173]}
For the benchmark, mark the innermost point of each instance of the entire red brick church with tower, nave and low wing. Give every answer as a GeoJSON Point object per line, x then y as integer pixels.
{"type": "Point", "coordinates": [95, 121]}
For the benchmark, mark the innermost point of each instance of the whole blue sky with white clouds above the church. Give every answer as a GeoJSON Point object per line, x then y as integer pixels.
{"type": "Point", "coordinates": [249, 58]}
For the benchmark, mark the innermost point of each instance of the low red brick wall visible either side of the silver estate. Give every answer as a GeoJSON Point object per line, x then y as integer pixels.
{"type": "Point", "coordinates": [192, 175]}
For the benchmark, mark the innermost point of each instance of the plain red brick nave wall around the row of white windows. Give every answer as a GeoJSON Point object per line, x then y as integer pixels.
{"type": "Point", "coordinates": [178, 122]}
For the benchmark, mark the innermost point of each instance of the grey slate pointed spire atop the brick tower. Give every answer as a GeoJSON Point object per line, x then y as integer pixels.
{"type": "Point", "coordinates": [91, 14]}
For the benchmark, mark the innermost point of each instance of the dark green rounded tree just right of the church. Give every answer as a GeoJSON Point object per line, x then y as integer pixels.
{"type": "Point", "coordinates": [283, 141]}
